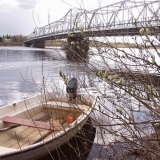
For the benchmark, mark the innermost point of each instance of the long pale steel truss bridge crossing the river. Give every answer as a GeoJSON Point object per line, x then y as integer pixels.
{"type": "Point", "coordinates": [126, 17]}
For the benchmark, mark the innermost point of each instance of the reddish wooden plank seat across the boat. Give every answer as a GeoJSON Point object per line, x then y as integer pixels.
{"type": "Point", "coordinates": [34, 124]}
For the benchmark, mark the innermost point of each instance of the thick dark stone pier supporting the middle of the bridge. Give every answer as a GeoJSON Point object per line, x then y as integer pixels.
{"type": "Point", "coordinates": [78, 46]}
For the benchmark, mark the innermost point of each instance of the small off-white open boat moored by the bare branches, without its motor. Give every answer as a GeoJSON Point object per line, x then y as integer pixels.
{"type": "Point", "coordinates": [34, 127]}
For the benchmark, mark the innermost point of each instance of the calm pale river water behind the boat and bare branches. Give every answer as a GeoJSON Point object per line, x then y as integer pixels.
{"type": "Point", "coordinates": [25, 72]}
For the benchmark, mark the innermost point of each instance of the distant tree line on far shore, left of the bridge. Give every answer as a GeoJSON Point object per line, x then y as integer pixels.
{"type": "Point", "coordinates": [12, 38]}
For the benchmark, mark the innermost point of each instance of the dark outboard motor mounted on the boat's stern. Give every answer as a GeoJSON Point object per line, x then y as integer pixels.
{"type": "Point", "coordinates": [72, 88]}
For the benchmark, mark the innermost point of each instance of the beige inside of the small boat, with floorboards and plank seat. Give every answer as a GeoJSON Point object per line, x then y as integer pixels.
{"type": "Point", "coordinates": [51, 113]}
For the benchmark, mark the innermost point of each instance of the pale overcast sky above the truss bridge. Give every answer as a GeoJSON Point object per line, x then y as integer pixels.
{"type": "Point", "coordinates": [21, 16]}
